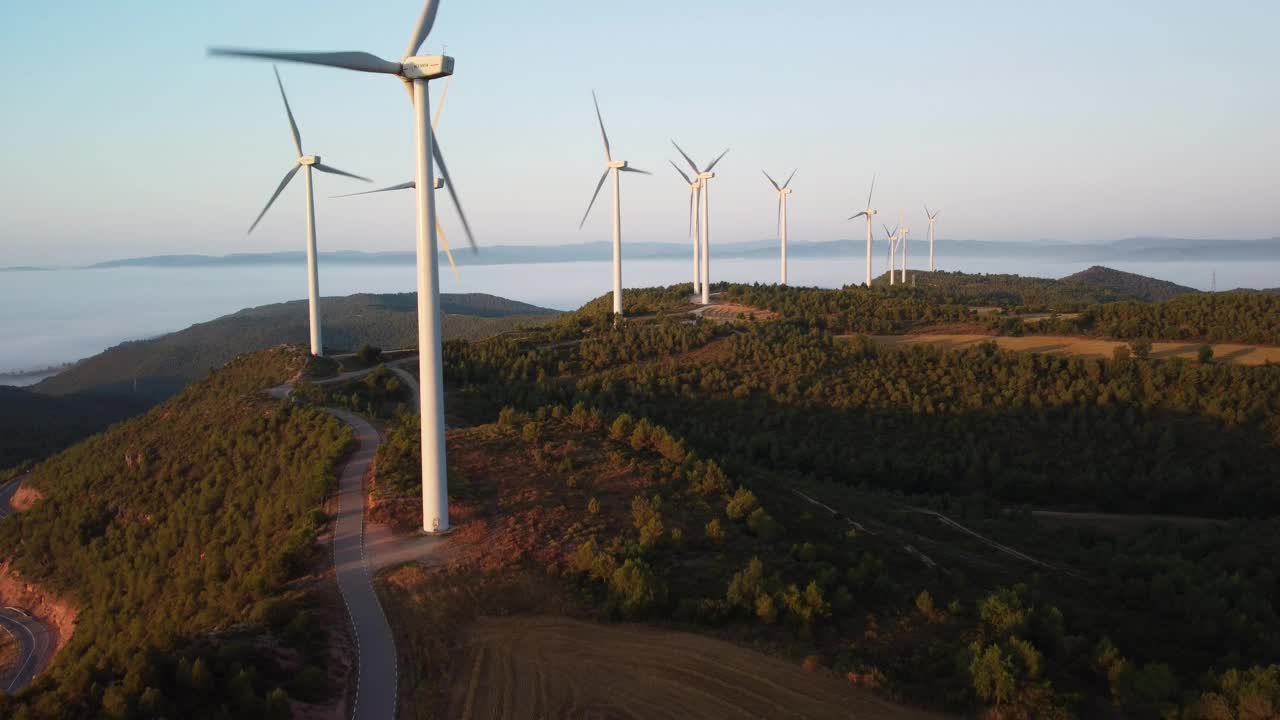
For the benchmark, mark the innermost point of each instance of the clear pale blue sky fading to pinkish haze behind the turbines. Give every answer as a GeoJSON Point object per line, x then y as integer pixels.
{"type": "Point", "coordinates": [1082, 121]}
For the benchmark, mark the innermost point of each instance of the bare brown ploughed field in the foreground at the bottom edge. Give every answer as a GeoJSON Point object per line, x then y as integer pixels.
{"type": "Point", "coordinates": [542, 667]}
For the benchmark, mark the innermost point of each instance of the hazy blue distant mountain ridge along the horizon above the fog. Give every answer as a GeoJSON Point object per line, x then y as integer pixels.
{"type": "Point", "coordinates": [1136, 249]}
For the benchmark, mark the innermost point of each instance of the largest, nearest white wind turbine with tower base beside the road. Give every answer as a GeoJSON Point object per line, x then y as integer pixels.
{"type": "Point", "coordinates": [415, 72]}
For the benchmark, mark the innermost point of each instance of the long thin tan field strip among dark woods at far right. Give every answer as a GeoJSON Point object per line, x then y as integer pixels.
{"type": "Point", "coordinates": [1087, 347]}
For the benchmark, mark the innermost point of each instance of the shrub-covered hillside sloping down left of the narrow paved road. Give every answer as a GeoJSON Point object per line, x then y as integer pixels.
{"type": "Point", "coordinates": [180, 537]}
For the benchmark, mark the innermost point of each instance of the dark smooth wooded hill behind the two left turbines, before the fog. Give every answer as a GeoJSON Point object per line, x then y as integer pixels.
{"type": "Point", "coordinates": [164, 364]}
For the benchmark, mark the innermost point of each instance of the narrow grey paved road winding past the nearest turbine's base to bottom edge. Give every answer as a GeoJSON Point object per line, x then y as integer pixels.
{"type": "Point", "coordinates": [378, 673]}
